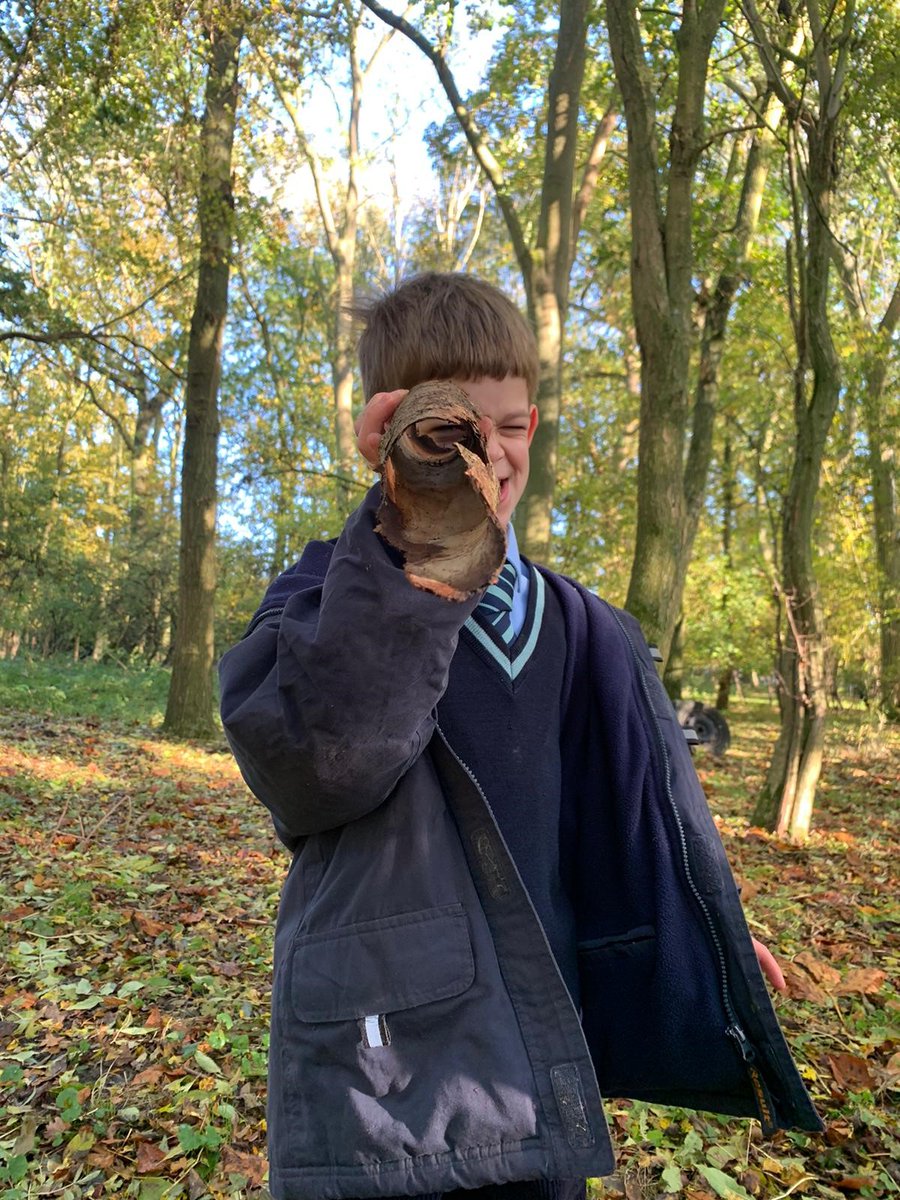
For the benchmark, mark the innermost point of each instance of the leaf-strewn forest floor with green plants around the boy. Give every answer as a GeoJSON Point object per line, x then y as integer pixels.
{"type": "Point", "coordinates": [139, 890]}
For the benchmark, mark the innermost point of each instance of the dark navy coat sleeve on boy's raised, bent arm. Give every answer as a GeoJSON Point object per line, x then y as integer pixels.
{"type": "Point", "coordinates": [328, 704]}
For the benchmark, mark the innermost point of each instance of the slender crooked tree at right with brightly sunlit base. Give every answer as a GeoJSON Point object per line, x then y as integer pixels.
{"type": "Point", "coordinates": [789, 794]}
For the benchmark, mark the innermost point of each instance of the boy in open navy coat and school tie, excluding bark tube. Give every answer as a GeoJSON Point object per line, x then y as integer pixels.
{"type": "Point", "coordinates": [507, 895]}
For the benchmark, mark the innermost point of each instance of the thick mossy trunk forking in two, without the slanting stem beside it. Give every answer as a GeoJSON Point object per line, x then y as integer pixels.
{"type": "Point", "coordinates": [663, 293]}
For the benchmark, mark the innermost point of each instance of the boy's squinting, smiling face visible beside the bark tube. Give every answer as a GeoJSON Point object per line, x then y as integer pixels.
{"type": "Point", "coordinates": [508, 422]}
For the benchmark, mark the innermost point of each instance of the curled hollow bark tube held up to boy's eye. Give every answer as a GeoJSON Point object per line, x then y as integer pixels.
{"type": "Point", "coordinates": [440, 493]}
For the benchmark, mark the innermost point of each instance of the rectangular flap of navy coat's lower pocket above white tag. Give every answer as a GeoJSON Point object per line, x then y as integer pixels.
{"type": "Point", "coordinates": [382, 967]}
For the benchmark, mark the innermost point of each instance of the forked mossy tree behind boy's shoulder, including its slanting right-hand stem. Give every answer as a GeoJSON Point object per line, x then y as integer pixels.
{"type": "Point", "coordinates": [676, 435]}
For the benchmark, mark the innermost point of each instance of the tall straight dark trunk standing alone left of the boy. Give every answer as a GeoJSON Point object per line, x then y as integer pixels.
{"type": "Point", "coordinates": [189, 712]}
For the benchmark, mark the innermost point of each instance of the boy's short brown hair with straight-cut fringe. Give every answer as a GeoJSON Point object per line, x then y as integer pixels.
{"type": "Point", "coordinates": [442, 326]}
